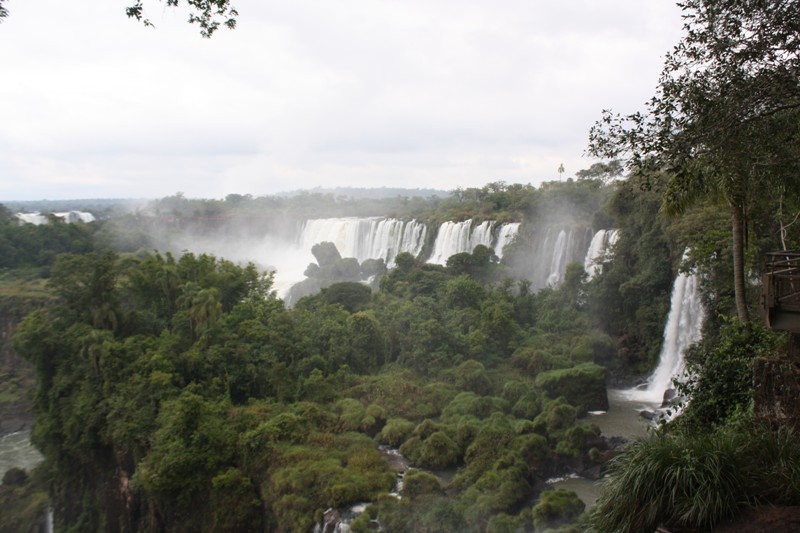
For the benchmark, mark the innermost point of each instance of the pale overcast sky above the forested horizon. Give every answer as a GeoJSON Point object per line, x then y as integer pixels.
{"type": "Point", "coordinates": [315, 93]}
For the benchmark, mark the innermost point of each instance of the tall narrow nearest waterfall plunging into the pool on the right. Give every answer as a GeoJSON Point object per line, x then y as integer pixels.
{"type": "Point", "coordinates": [683, 328]}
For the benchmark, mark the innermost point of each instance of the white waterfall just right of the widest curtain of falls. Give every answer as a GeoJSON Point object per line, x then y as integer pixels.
{"type": "Point", "coordinates": [460, 237]}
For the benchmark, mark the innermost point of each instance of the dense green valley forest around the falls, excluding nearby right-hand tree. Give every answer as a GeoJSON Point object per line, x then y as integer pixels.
{"type": "Point", "coordinates": [179, 393]}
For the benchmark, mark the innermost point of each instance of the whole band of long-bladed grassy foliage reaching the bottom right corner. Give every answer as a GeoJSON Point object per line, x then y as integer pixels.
{"type": "Point", "coordinates": [696, 480]}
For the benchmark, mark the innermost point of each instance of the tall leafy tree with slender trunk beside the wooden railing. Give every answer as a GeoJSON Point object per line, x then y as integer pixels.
{"type": "Point", "coordinates": [725, 120]}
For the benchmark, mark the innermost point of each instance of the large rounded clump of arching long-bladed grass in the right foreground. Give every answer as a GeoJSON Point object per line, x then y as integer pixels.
{"type": "Point", "coordinates": [691, 481]}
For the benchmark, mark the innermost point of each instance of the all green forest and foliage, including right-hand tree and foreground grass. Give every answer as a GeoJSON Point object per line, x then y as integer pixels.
{"type": "Point", "coordinates": [178, 392]}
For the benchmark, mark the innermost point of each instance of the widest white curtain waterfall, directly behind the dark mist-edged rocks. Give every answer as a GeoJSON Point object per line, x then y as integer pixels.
{"type": "Point", "coordinates": [366, 238]}
